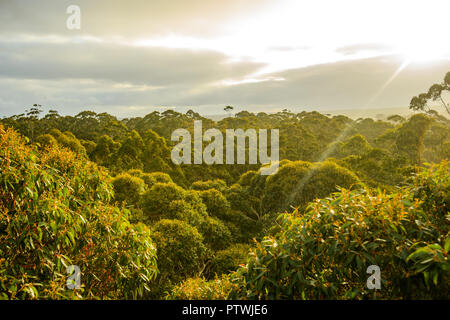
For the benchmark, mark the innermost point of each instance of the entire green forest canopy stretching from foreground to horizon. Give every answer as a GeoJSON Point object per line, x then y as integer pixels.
{"type": "Point", "coordinates": [102, 193]}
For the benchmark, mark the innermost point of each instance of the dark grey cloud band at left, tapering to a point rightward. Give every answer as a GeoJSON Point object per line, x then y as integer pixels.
{"type": "Point", "coordinates": [118, 63]}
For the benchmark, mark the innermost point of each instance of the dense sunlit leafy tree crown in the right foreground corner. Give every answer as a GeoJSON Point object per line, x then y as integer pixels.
{"type": "Point", "coordinates": [324, 252]}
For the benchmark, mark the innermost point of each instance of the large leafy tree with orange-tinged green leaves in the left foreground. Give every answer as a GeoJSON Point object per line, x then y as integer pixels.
{"type": "Point", "coordinates": [53, 214]}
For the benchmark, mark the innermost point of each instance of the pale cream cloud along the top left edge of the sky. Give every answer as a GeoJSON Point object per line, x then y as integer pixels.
{"type": "Point", "coordinates": [136, 18]}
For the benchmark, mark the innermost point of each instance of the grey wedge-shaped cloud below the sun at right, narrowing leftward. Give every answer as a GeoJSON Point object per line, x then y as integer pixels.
{"type": "Point", "coordinates": [342, 85]}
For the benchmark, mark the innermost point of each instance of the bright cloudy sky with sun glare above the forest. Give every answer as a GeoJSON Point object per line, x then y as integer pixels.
{"type": "Point", "coordinates": [133, 57]}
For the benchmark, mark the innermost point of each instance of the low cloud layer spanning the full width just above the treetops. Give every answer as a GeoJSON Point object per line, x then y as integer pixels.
{"type": "Point", "coordinates": [342, 85]}
